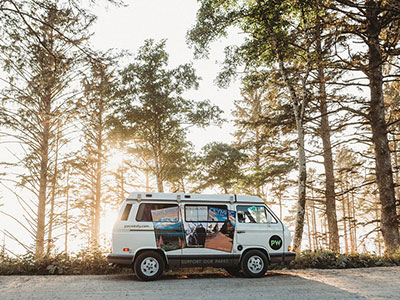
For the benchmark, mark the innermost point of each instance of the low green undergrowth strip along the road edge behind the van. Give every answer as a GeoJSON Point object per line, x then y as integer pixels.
{"type": "Point", "coordinates": [95, 262]}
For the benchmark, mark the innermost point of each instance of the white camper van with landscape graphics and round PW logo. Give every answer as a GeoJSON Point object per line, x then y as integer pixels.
{"type": "Point", "coordinates": [159, 230]}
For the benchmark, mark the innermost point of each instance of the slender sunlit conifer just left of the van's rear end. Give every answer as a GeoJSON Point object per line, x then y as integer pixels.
{"type": "Point", "coordinates": [95, 108]}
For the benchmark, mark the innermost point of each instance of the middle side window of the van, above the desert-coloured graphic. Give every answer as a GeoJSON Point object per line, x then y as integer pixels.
{"type": "Point", "coordinates": [206, 213]}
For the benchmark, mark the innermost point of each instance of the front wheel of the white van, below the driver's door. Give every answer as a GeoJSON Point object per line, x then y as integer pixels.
{"type": "Point", "coordinates": [254, 264]}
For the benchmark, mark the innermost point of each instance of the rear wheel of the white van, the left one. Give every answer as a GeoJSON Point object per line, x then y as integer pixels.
{"type": "Point", "coordinates": [149, 265]}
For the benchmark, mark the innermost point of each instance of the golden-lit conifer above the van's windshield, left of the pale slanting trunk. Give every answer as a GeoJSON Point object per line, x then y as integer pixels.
{"type": "Point", "coordinates": [263, 121]}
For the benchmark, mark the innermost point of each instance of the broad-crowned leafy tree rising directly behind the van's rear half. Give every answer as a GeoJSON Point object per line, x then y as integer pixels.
{"type": "Point", "coordinates": [151, 112]}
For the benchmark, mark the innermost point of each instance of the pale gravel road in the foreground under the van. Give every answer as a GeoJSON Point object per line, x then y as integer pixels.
{"type": "Point", "coordinates": [372, 283]}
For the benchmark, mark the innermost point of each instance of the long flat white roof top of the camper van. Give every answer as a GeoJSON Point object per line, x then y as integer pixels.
{"type": "Point", "coordinates": [194, 197]}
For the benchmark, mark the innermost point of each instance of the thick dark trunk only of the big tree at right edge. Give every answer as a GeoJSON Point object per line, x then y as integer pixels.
{"type": "Point", "coordinates": [383, 166]}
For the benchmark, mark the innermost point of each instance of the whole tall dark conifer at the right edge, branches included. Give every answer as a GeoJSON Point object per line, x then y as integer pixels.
{"type": "Point", "coordinates": [375, 26]}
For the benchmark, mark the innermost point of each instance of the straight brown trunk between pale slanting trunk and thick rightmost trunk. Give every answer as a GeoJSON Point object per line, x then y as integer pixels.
{"type": "Point", "coordinates": [325, 132]}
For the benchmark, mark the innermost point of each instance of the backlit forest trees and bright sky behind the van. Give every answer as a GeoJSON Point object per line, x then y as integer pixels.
{"type": "Point", "coordinates": [310, 122]}
